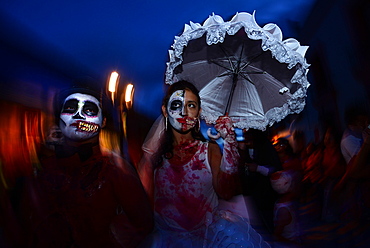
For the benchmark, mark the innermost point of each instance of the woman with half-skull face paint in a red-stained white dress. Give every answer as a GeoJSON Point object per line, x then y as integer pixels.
{"type": "Point", "coordinates": [186, 176]}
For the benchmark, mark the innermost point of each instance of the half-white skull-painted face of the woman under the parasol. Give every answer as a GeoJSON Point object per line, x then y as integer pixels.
{"type": "Point", "coordinates": [183, 110]}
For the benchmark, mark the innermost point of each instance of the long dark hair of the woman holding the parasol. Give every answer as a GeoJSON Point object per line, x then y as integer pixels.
{"type": "Point", "coordinates": [166, 147]}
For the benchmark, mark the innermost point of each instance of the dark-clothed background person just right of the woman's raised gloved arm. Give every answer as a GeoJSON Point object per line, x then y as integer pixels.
{"type": "Point", "coordinates": [258, 161]}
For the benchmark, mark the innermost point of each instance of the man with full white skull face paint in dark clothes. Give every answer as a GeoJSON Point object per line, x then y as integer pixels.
{"type": "Point", "coordinates": [87, 198]}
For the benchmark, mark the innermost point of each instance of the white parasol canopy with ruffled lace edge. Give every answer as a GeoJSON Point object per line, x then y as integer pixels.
{"type": "Point", "coordinates": [241, 69]}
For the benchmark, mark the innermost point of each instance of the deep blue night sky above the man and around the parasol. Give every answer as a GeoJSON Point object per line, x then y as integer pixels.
{"type": "Point", "coordinates": [132, 37]}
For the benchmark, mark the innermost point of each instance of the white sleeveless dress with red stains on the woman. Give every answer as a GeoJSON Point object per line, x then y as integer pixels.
{"type": "Point", "coordinates": [186, 211]}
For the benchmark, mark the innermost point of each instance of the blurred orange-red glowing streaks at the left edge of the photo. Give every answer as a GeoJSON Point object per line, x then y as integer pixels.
{"type": "Point", "coordinates": [20, 137]}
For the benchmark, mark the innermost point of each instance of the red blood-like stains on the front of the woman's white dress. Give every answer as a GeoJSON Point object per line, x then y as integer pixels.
{"type": "Point", "coordinates": [184, 190]}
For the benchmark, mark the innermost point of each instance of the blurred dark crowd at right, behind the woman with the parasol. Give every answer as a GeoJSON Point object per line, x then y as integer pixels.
{"type": "Point", "coordinates": [318, 192]}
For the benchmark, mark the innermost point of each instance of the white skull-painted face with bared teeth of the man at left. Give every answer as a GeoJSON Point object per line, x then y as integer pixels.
{"type": "Point", "coordinates": [81, 117]}
